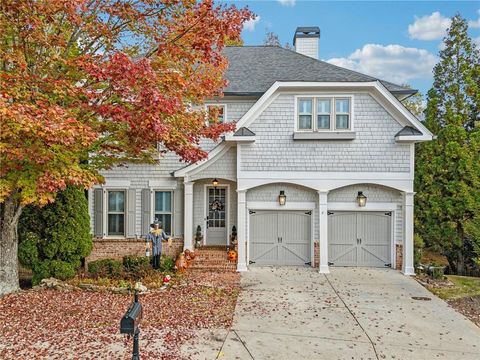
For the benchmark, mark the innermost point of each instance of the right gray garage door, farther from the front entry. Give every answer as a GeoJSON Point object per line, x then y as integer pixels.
{"type": "Point", "coordinates": [359, 238]}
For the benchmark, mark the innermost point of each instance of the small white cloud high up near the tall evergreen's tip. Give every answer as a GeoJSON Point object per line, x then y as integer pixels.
{"type": "Point", "coordinates": [429, 27]}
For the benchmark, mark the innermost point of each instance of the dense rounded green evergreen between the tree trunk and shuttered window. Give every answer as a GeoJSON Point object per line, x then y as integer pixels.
{"type": "Point", "coordinates": [55, 238]}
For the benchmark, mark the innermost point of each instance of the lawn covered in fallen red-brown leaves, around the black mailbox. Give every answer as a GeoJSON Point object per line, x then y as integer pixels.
{"type": "Point", "coordinates": [52, 324]}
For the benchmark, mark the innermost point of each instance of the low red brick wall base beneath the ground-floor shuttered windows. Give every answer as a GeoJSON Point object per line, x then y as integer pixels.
{"type": "Point", "coordinates": [118, 248]}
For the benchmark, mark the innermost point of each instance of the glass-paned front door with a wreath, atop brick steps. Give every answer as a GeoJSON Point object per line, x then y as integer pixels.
{"type": "Point", "coordinates": [216, 215]}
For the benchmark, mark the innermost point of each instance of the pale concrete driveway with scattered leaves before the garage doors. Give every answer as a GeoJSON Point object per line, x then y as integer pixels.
{"type": "Point", "coordinates": [352, 313]}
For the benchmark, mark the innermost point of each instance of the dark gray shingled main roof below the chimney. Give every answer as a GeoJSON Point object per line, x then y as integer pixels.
{"type": "Point", "coordinates": [253, 69]}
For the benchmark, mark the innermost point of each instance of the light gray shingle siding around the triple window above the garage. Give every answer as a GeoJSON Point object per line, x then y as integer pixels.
{"type": "Point", "coordinates": [373, 150]}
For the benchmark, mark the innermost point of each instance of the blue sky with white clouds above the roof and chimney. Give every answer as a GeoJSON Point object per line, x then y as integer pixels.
{"type": "Point", "coordinates": [393, 40]}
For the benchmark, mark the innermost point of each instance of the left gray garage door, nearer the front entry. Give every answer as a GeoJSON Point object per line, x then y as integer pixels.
{"type": "Point", "coordinates": [280, 237]}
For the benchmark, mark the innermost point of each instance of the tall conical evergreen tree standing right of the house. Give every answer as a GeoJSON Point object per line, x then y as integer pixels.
{"type": "Point", "coordinates": [447, 177]}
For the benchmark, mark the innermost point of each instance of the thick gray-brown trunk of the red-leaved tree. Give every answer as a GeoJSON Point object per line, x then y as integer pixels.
{"type": "Point", "coordinates": [10, 211]}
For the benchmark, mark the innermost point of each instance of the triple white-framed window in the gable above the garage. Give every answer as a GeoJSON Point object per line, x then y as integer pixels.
{"type": "Point", "coordinates": [324, 113]}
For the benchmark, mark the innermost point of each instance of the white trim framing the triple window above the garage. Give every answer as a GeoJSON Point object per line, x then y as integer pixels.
{"type": "Point", "coordinates": [332, 98]}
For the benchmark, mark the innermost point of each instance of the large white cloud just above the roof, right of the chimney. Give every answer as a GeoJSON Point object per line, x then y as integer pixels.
{"type": "Point", "coordinates": [395, 63]}
